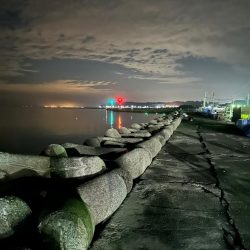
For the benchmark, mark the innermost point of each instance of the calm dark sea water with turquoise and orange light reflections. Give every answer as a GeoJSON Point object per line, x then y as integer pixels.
{"type": "Point", "coordinates": [29, 130]}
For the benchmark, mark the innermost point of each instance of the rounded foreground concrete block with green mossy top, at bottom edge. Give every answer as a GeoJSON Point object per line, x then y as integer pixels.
{"type": "Point", "coordinates": [69, 228]}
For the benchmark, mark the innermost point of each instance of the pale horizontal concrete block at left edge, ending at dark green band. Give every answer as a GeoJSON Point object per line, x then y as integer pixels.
{"type": "Point", "coordinates": [15, 165]}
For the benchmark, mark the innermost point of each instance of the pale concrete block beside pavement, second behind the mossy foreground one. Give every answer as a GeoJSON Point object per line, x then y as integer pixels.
{"type": "Point", "coordinates": [135, 161]}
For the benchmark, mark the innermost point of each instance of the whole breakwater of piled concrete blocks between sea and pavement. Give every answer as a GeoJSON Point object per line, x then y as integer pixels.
{"type": "Point", "coordinates": [58, 198]}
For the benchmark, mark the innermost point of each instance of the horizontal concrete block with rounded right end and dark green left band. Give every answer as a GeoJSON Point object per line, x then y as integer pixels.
{"type": "Point", "coordinates": [76, 166]}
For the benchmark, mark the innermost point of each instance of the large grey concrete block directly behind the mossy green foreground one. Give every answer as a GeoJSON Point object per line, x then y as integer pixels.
{"type": "Point", "coordinates": [104, 194]}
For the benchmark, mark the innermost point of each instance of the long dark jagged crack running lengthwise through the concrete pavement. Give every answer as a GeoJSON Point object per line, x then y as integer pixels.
{"type": "Point", "coordinates": [232, 237]}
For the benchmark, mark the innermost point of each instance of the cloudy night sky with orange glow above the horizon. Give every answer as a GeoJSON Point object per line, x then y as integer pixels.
{"type": "Point", "coordinates": [85, 51]}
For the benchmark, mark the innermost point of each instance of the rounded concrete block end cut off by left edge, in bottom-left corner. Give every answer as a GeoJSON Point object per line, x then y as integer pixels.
{"type": "Point", "coordinates": [14, 212]}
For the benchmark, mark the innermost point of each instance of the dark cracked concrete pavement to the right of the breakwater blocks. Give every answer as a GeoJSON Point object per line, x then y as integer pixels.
{"type": "Point", "coordinates": [195, 195]}
